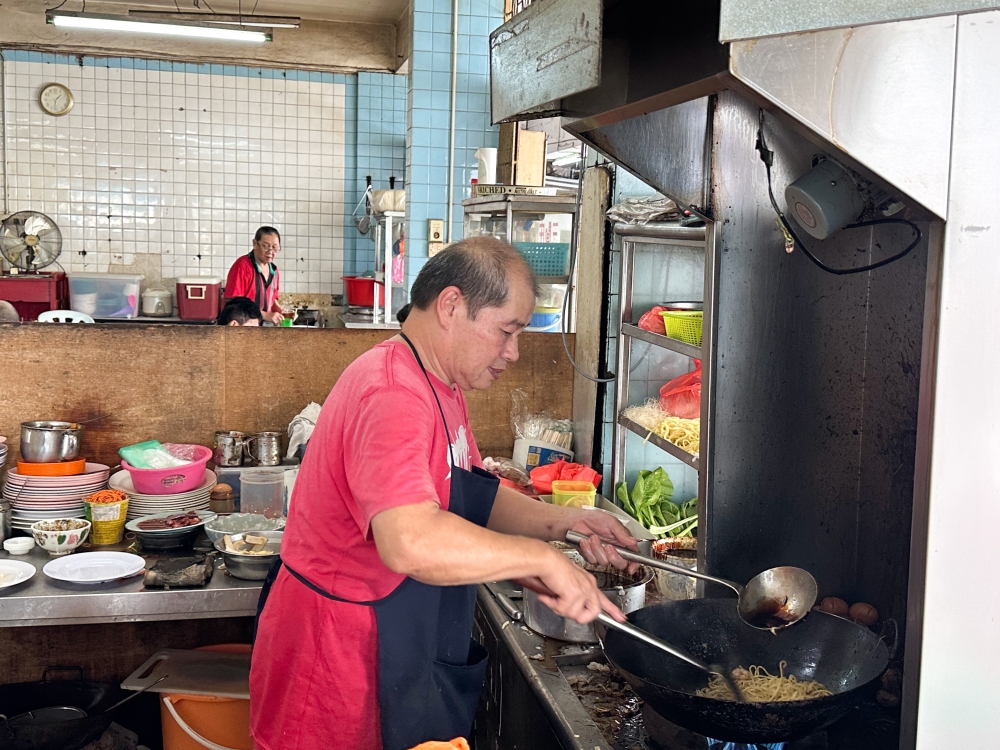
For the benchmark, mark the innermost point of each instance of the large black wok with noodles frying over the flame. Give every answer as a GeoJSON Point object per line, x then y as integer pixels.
{"type": "Point", "coordinates": [845, 657]}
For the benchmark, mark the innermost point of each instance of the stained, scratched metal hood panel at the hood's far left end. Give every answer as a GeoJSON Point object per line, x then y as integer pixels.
{"type": "Point", "coordinates": [560, 40]}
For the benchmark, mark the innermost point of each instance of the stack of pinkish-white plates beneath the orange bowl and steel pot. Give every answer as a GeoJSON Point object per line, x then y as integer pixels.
{"type": "Point", "coordinates": [41, 498]}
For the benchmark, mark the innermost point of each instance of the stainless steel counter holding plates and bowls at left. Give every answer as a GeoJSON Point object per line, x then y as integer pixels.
{"type": "Point", "coordinates": [45, 601]}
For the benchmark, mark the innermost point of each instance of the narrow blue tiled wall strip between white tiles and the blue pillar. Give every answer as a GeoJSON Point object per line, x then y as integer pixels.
{"type": "Point", "coordinates": [380, 128]}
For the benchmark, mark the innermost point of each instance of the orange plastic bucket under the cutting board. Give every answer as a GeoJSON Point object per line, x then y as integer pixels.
{"type": "Point", "coordinates": [196, 722]}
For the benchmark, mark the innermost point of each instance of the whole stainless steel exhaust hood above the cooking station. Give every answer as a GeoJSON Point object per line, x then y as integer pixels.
{"type": "Point", "coordinates": [881, 95]}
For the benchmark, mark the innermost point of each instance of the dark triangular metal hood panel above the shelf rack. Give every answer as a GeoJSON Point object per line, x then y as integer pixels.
{"type": "Point", "coordinates": [666, 149]}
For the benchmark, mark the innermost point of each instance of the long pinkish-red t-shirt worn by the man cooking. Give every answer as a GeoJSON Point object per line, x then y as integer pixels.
{"type": "Point", "coordinates": [379, 443]}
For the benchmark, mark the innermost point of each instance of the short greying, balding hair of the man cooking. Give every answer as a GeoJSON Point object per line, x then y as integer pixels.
{"type": "Point", "coordinates": [479, 266]}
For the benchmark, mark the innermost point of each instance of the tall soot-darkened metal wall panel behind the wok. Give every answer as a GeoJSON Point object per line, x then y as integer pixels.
{"type": "Point", "coordinates": [815, 387]}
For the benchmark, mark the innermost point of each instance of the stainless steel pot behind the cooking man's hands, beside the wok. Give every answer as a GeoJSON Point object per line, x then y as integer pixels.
{"type": "Point", "coordinates": [628, 592]}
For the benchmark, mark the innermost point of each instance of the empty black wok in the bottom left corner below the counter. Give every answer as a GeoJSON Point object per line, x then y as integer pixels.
{"type": "Point", "coordinates": [20, 698]}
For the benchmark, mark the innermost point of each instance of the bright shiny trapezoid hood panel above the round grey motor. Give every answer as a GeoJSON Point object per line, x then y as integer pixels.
{"type": "Point", "coordinates": [881, 93]}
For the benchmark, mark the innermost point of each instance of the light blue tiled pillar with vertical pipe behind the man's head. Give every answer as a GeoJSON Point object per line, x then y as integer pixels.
{"type": "Point", "coordinates": [428, 107]}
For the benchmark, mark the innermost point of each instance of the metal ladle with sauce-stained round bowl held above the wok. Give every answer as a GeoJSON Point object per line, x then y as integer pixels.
{"type": "Point", "coordinates": [773, 600]}
